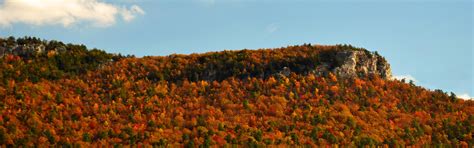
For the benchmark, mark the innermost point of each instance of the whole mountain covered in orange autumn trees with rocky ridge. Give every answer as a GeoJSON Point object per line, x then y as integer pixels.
{"type": "Point", "coordinates": [60, 94]}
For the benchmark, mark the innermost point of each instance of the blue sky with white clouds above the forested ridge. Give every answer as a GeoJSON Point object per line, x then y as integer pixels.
{"type": "Point", "coordinates": [428, 41]}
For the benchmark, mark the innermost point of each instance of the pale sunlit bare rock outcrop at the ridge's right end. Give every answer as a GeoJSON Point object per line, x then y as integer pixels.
{"type": "Point", "coordinates": [361, 63]}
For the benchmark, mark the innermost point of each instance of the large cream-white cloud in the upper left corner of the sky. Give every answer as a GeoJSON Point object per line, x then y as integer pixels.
{"type": "Point", "coordinates": [64, 12]}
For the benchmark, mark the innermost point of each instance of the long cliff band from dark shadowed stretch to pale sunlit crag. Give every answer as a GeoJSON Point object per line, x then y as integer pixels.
{"type": "Point", "coordinates": [343, 62]}
